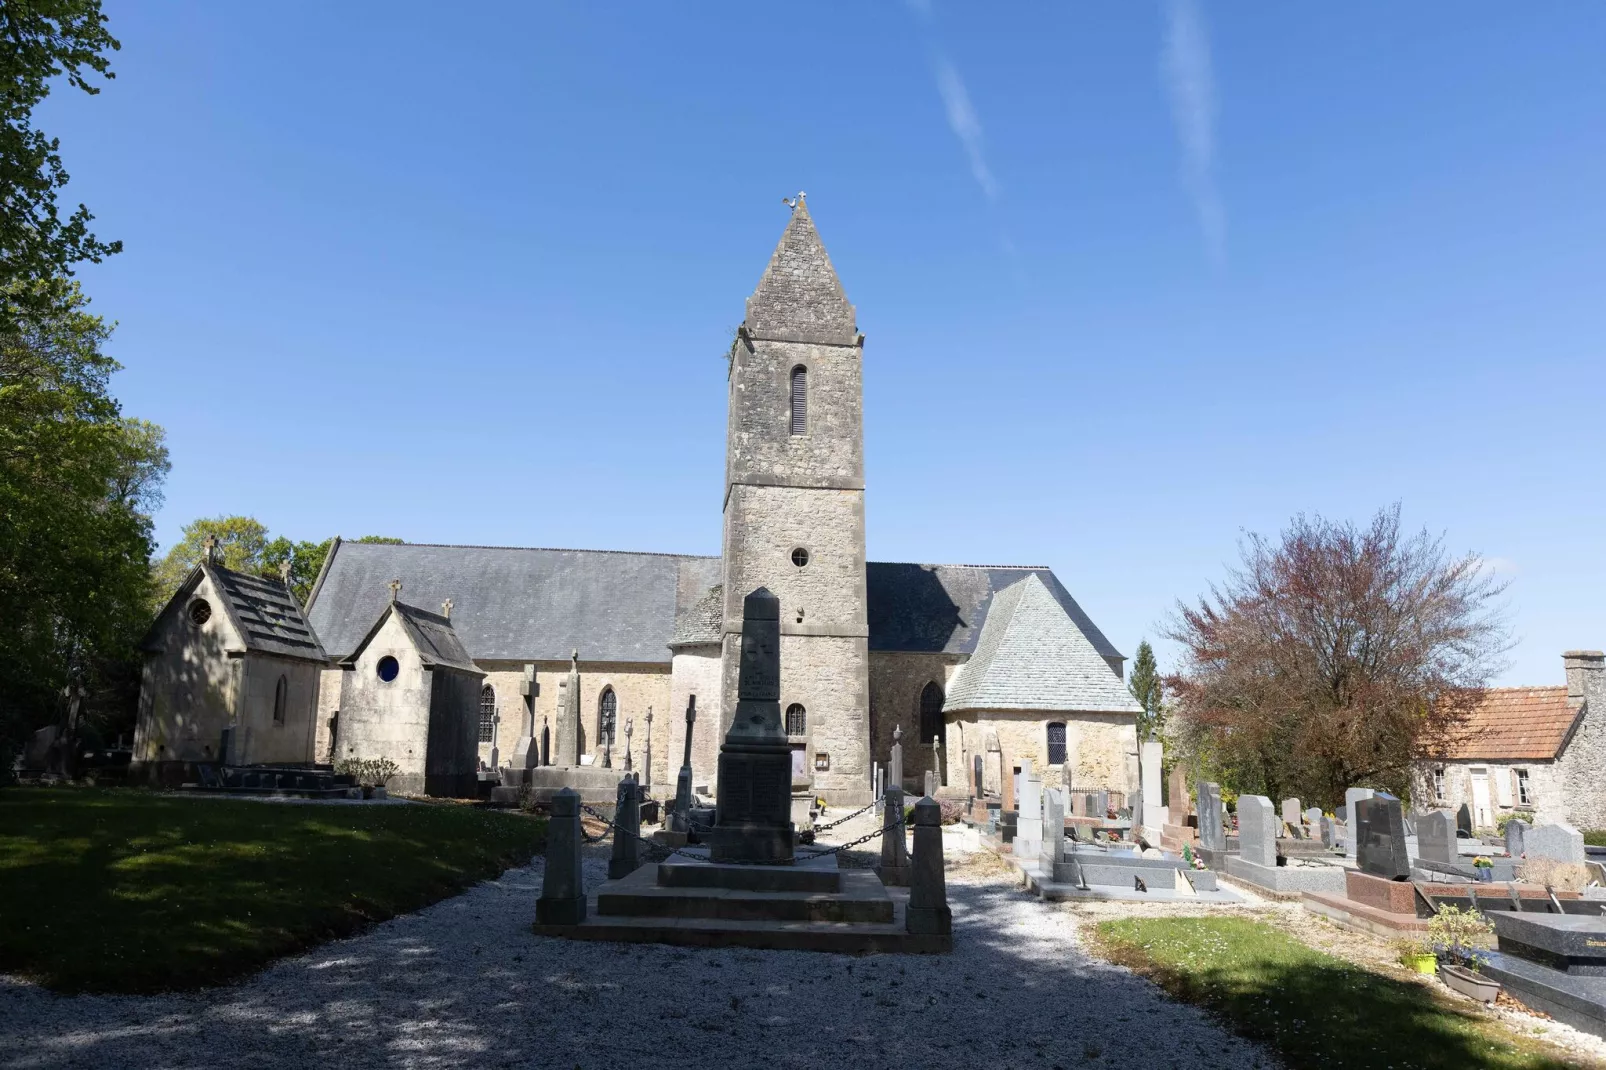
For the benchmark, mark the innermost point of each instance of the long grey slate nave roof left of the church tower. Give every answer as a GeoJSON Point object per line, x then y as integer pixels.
{"type": "Point", "coordinates": [515, 603]}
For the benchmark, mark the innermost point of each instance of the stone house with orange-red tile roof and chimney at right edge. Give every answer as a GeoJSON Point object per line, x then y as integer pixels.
{"type": "Point", "coordinates": [1531, 753]}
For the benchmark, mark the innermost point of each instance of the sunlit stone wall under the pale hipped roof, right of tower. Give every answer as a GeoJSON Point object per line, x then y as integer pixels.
{"type": "Point", "coordinates": [1098, 746]}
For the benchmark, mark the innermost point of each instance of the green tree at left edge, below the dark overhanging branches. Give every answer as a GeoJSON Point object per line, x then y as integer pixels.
{"type": "Point", "coordinates": [76, 484]}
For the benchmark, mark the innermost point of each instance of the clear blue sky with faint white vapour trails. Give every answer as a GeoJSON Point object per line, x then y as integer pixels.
{"type": "Point", "coordinates": [1135, 277]}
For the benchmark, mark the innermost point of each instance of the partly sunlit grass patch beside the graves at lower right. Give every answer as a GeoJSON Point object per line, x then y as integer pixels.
{"type": "Point", "coordinates": [1311, 1008]}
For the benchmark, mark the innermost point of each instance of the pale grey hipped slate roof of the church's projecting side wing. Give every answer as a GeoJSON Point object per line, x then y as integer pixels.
{"type": "Point", "coordinates": [1033, 656]}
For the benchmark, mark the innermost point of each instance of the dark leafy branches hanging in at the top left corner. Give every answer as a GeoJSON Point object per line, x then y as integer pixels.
{"type": "Point", "coordinates": [43, 41]}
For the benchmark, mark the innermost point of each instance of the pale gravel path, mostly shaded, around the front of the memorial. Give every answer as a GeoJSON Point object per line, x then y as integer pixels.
{"type": "Point", "coordinates": [465, 984]}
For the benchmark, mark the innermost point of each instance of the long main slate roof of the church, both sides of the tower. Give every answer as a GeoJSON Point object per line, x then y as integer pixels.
{"type": "Point", "coordinates": [539, 605]}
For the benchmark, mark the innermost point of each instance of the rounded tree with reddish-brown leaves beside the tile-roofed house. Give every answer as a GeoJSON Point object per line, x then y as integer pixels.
{"type": "Point", "coordinates": [1334, 656]}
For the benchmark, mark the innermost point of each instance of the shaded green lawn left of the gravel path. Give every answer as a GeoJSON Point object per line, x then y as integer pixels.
{"type": "Point", "coordinates": [126, 891]}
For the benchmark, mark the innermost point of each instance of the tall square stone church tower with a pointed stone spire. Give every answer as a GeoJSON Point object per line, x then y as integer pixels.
{"type": "Point", "coordinates": [794, 507]}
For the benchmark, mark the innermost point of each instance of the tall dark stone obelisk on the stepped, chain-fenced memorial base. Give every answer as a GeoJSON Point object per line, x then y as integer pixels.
{"type": "Point", "coordinates": [756, 762]}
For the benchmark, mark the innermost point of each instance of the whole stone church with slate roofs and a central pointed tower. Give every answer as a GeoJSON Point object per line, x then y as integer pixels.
{"type": "Point", "coordinates": [971, 661]}
